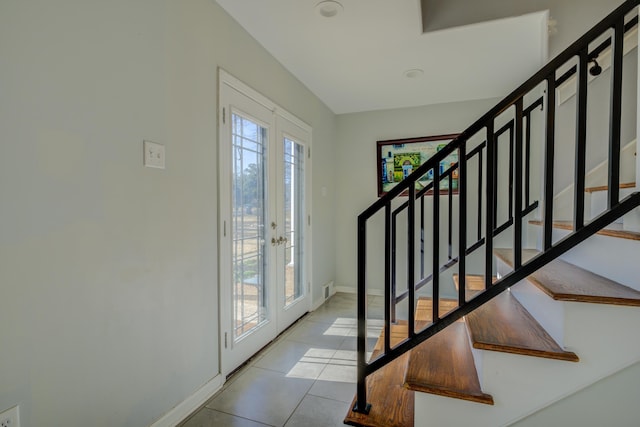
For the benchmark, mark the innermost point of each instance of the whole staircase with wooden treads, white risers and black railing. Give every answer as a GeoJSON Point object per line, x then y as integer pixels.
{"type": "Point", "coordinates": [539, 305]}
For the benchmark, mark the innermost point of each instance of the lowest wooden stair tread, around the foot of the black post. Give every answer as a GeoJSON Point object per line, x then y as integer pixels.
{"type": "Point", "coordinates": [391, 403]}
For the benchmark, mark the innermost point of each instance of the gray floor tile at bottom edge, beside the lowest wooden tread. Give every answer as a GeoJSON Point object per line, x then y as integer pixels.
{"type": "Point", "coordinates": [318, 412]}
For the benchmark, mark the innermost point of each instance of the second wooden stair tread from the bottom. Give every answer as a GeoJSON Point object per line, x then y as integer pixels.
{"type": "Point", "coordinates": [444, 365]}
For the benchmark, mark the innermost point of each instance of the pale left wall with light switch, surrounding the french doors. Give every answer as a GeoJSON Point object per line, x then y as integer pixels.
{"type": "Point", "coordinates": [108, 270]}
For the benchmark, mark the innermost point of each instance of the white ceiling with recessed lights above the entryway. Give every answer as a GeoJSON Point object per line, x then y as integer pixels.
{"type": "Point", "coordinates": [358, 60]}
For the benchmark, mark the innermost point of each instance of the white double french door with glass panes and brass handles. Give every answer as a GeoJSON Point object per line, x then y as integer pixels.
{"type": "Point", "coordinates": [263, 206]}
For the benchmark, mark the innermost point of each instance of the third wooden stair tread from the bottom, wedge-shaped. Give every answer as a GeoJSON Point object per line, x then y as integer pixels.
{"type": "Point", "coordinates": [503, 324]}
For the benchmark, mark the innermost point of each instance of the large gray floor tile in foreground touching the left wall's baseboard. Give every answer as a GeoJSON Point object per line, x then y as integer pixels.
{"type": "Point", "coordinates": [262, 395]}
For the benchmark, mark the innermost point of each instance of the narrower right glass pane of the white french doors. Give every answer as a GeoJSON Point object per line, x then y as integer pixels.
{"type": "Point", "coordinates": [294, 219]}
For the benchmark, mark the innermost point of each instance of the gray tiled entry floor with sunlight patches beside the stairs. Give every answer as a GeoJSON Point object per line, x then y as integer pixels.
{"type": "Point", "coordinates": [306, 377]}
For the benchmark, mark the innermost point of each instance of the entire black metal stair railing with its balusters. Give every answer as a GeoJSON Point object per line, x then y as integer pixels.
{"type": "Point", "coordinates": [519, 205]}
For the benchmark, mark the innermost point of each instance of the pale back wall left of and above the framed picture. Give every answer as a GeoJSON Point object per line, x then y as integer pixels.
{"type": "Point", "coordinates": [356, 164]}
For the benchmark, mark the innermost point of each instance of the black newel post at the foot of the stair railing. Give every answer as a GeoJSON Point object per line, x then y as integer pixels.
{"type": "Point", "coordinates": [361, 401]}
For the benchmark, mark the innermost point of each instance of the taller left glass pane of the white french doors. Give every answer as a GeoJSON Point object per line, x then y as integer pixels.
{"type": "Point", "coordinates": [248, 225]}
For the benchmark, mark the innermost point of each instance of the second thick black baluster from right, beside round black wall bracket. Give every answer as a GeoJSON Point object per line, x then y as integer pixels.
{"type": "Point", "coordinates": [581, 140]}
